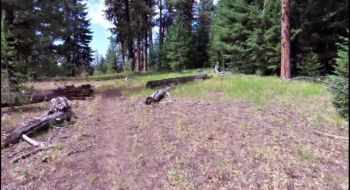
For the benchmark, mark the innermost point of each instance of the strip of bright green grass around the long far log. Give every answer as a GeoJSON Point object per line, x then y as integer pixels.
{"type": "Point", "coordinates": [250, 88]}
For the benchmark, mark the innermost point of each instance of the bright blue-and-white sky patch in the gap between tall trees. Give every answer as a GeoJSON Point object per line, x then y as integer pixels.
{"type": "Point", "coordinates": [99, 26]}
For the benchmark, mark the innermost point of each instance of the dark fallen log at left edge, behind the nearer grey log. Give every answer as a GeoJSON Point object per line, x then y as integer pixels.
{"type": "Point", "coordinates": [71, 92]}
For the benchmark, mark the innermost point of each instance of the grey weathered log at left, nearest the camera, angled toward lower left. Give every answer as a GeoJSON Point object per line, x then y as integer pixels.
{"type": "Point", "coordinates": [36, 125]}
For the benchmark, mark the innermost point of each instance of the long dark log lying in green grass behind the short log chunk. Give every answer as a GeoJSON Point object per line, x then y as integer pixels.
{"type": "Point", "coordinates": [177, 80]}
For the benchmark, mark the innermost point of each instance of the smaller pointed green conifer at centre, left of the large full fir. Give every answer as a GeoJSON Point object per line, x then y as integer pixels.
{"type": "Point", "coordinates": [177, 46]}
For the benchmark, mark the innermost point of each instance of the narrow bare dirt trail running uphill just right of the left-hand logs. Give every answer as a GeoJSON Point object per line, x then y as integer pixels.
{"type": "Point", "coordinates": [113, 151]}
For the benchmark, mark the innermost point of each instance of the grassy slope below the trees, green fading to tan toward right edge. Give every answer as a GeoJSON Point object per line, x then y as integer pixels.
{"type": "Point", "coordinates": [305, 98]}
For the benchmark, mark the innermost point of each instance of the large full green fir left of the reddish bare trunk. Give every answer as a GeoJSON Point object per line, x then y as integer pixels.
{"type": "Point", "coordinates": [234, 23]}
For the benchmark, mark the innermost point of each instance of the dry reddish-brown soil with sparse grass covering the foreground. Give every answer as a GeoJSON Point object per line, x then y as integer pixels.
{"type": "Point", "coordinates": [120, 143]}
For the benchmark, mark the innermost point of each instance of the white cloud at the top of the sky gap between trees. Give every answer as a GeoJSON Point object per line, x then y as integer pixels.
{"type": "Point", "coordinates": [95, 13]}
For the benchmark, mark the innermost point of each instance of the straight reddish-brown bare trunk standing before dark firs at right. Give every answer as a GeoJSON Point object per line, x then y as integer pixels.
{"type": "Point", "coordinates": [285, 41]}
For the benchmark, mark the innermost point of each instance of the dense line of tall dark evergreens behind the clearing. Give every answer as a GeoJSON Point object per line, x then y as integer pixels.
{"type": "Point", "coordinates": [51, 38]}
